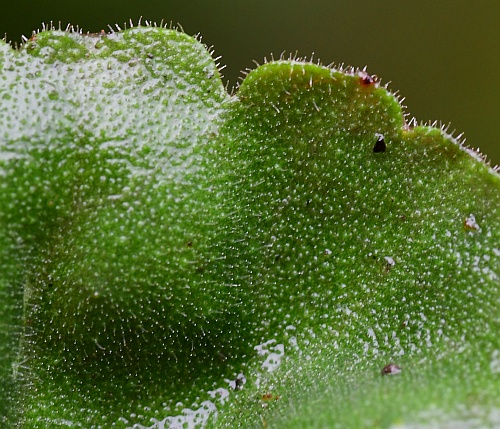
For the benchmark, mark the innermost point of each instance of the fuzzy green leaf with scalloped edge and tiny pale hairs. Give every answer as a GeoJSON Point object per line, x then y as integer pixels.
{"type": "Point", "coordinates": [175, 256]}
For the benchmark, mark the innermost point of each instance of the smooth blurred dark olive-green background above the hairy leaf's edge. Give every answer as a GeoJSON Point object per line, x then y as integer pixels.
{"type": "Point", "coordinates": [443, 56]}
